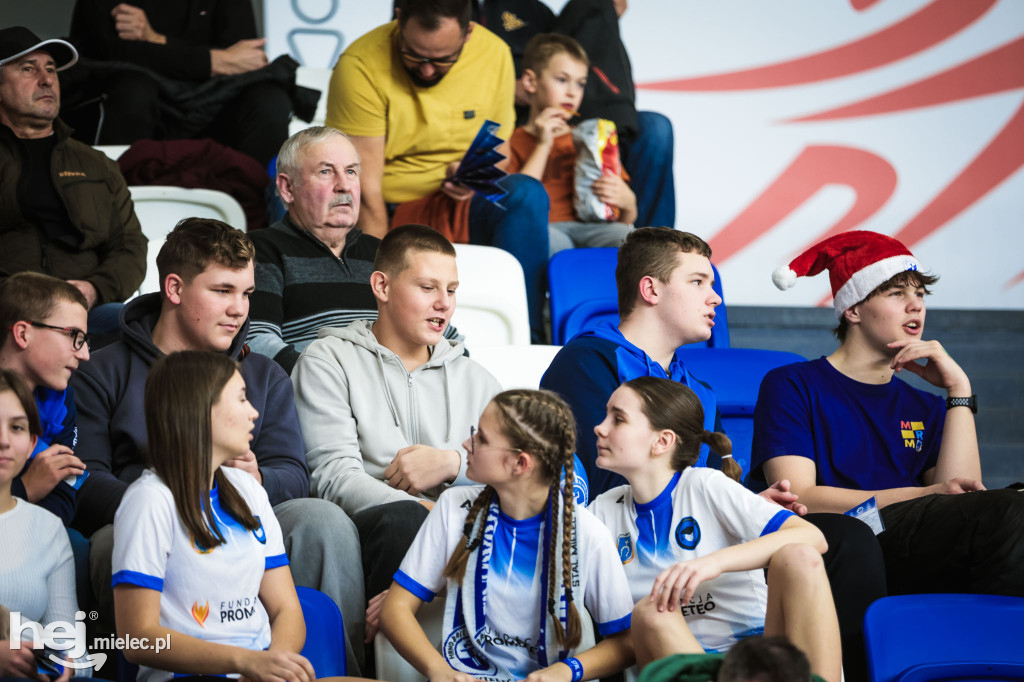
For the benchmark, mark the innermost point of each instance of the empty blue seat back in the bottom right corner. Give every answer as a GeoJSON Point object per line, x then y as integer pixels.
{"type": "Point", "coordinates": [946, 637]}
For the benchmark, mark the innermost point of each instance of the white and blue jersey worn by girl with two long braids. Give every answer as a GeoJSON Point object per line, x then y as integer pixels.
{"type": "Point", "coordinates": [515, 591]}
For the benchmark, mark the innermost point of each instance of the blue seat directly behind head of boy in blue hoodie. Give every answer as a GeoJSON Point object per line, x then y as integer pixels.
{"type": "Point", "coordinates": [583, 289]}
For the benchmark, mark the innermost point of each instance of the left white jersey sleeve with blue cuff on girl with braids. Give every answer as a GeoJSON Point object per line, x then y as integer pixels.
{"type": "Point", "coordinates": [422, 571]}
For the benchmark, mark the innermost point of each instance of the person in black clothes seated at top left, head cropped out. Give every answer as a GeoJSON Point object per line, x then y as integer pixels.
{"type": "Point", "coordinates": [190, 41]}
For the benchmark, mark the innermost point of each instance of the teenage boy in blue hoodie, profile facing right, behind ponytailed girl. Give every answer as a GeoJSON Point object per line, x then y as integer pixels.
{"type": "Point", "coordinates": [666, 301]}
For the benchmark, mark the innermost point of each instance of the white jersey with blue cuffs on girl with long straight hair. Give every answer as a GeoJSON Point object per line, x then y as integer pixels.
{"type": "Point", "coordinates": [208, 593]}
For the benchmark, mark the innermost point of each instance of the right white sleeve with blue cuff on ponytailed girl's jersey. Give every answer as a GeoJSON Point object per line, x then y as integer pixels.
{"type": "Point", "coordinates": [743, 514]}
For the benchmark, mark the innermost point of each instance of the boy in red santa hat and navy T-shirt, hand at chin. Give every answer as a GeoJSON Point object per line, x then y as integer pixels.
{"type": "Point", "coordinates": [844, 431]}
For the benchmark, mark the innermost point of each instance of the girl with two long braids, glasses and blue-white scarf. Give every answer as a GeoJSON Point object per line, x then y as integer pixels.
{"type": "Point", "coordinates": [520, 561]}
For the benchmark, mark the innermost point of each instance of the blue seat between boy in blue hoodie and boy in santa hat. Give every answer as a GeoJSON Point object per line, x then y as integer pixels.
{"type": "Point", "coordinates": [735, 375]}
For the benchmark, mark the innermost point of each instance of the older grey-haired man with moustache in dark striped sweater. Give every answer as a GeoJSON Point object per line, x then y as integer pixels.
{"type": "Point", "coordinates": [314, 266]}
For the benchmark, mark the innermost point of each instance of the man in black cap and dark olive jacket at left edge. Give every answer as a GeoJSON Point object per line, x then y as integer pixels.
{"type": "Point", "coordinates": [65, 208]}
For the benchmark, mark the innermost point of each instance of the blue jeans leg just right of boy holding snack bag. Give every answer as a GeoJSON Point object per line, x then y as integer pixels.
{"type": "Point", "coordinates": [649, 160]}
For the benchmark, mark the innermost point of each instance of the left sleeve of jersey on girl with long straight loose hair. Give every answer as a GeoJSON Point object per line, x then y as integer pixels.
{"type": "Point", "coordinates": [144, 532]}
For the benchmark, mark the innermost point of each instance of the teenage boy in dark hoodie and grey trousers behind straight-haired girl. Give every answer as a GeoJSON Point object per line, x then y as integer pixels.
{"type": "Point", "coordinates": [206, 270]}
